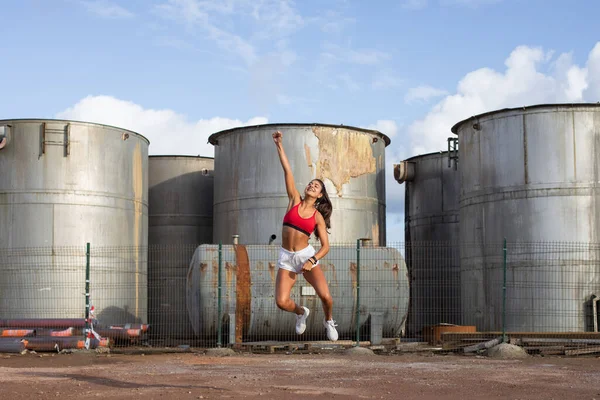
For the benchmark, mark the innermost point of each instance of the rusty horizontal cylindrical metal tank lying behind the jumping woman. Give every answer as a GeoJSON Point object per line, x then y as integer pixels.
{"type": "Point", "coordinates": [248, 274]}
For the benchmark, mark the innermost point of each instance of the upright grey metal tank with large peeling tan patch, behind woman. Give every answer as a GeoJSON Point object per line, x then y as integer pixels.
{"type": "Point", "coordinates": [250, 195]}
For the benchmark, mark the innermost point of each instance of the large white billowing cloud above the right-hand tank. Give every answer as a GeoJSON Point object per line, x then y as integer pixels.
{"type": "Point", "coordinates": [522, 83]}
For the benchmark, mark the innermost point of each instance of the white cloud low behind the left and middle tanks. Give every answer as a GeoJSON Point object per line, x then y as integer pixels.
{"type": "Point", "coordinates": [167, 131]}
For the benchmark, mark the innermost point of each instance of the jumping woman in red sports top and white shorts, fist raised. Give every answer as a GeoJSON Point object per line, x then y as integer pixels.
{"type": "Point", "coordinates": [303, 216]}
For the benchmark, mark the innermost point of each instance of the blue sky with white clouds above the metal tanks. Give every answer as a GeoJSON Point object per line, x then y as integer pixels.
{"type": "Point", "coordinates": [189, 67]}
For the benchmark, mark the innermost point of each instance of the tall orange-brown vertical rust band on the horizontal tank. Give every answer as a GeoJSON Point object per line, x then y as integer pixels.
{"type": "Point", "coordinates": [243, 298]}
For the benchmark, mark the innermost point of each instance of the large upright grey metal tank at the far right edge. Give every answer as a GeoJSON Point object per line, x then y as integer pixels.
{"type": "Point", "coordinates": [530, 175]}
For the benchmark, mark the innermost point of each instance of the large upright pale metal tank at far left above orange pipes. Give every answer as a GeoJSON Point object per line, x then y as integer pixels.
{"type": "Point", "coordinates": [63, 184]}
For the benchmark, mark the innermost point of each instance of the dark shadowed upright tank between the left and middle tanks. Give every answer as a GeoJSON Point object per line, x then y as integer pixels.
{"type": "Point", "coordinates": [180, 219]}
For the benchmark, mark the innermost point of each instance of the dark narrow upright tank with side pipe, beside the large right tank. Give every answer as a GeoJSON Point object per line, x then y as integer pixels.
{"type": "Point", "coordinates": [431, 239]}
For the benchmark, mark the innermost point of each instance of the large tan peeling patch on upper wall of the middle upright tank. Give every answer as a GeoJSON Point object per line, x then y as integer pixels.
{"type": "Point", "coordinates": [343, 154]}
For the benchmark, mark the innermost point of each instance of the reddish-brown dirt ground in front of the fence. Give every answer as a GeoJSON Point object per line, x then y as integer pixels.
{"type": "Point", "coordinates": [295, 376]}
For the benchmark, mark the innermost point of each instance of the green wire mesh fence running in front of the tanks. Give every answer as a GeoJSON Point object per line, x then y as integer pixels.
{"type": "Point", "coordinates": [452, 296]}
